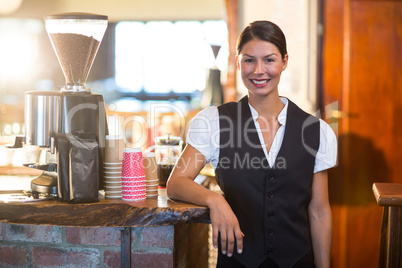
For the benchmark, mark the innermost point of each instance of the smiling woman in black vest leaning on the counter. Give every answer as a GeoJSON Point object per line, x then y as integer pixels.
{"type": "Point", "coordinates": [270, 159]}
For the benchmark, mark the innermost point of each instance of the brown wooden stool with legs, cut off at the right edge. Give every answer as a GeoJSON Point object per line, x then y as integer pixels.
{"type": "Point", "coordinates": [389, 195]}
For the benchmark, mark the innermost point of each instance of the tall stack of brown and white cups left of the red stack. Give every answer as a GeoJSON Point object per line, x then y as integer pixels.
{"type": "Point", "coordinates": [112, 167]}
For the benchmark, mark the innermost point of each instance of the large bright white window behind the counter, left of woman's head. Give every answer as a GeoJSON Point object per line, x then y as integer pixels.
{"type": "Point", "coordinates": [165, 56]}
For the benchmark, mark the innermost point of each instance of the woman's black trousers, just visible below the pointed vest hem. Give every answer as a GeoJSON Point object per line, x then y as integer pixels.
{"type": "Point", "coordinates": [230, 262]}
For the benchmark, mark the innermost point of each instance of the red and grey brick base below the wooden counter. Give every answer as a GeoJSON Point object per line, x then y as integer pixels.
{"type": "Point", "coordinates": [55, 246]}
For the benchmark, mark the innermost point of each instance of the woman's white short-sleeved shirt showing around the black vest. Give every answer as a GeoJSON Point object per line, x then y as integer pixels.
{"type": "Point", "coordinates": [204, 135]}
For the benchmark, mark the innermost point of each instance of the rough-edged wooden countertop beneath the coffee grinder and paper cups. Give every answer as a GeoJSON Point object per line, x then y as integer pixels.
{"type": "Point", "coordinates": [106, 213]}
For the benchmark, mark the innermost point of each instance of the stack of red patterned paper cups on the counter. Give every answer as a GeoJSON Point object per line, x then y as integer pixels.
{"type": "Point", "coordinates": [133, 175]}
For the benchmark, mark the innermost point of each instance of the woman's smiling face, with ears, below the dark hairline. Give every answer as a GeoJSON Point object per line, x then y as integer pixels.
{"type": "Point", "coordinates": [260, 64]}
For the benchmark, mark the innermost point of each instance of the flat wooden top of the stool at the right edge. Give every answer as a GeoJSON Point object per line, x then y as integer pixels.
{"type": "Point", "coordinates": [388, 194]}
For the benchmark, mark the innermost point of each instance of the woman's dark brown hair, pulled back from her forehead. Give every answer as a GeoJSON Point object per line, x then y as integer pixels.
{"type": "Point", "coordinates": [265, 31]}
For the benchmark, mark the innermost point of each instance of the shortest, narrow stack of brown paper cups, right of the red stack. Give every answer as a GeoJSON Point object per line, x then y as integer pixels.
{"type": "Point", "coordinates": [151, 175]}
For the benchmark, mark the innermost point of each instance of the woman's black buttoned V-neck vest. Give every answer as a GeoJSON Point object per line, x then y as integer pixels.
{"type": "Point", "coordinates": [270, 203]}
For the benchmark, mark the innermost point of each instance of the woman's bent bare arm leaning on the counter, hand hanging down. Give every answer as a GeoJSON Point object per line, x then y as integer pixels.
{"type": "Point", "coordinates": [181, 186]}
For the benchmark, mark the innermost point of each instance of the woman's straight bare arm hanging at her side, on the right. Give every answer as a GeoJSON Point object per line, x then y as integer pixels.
{"type": "Point", "coordinates": [320, 217]}
